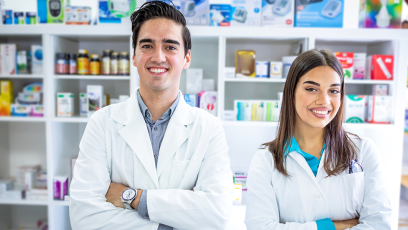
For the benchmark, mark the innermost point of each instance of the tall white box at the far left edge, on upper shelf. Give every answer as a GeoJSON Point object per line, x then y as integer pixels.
{"type": "Point", "coordinates": [8, 59]}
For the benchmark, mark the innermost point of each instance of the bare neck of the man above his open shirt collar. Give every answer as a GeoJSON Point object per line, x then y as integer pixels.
{"type": "Point", "coordinates": [158, 102]}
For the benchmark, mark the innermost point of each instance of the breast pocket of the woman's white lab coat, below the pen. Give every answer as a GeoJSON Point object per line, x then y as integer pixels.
{"type": "Point", "coordinates": [354, 190]}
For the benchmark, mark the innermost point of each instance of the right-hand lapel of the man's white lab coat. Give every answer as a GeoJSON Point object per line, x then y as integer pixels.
{"type": "Point", "coordinates": [176, 134]}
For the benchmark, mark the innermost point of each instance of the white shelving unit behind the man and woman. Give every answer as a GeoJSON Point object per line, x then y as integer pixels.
{"type": "Point", "coordinates": [52, 141]}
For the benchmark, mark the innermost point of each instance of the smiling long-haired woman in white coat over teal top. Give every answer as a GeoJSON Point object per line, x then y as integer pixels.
{"type": "Point", "coordinates": [315, 175]}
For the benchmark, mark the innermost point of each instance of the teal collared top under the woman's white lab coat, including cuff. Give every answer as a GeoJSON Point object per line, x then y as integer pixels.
{"type": "Point", "coordinates": [313, 162]}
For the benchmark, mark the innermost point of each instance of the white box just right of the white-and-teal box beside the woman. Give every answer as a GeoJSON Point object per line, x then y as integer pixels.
{"type": "Point", "coordinates": [379, 109]}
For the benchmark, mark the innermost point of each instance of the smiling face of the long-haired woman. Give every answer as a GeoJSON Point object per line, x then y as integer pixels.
{"type": "Point", "coordinates": [317, 97]}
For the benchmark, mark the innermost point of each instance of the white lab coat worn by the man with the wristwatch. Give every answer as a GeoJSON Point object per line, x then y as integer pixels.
{"type": "Point", "coordinates": [193, 155]}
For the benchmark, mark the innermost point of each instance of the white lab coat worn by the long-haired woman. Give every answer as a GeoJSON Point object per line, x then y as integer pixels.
{"type": "Point", "coordinates": [295, 203]}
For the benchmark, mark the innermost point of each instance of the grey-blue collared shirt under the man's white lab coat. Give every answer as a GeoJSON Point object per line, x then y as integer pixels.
{"type": "Point", "coordinates": [156, 130]}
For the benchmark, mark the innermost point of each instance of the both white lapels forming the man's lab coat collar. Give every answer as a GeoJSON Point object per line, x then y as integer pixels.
{"type": "Point", "coordinates": [136, 135]}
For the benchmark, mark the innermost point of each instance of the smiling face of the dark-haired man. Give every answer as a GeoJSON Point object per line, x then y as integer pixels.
{"type": "Point", "coordinates": [159, 55]}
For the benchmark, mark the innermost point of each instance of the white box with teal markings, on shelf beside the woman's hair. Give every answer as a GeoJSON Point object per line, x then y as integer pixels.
{"type": "Point", "coordinates": [355, 108]}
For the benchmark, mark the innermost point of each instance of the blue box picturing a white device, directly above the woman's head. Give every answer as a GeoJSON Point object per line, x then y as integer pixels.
{"type": "Point", "coordinates": [319, 13]}
